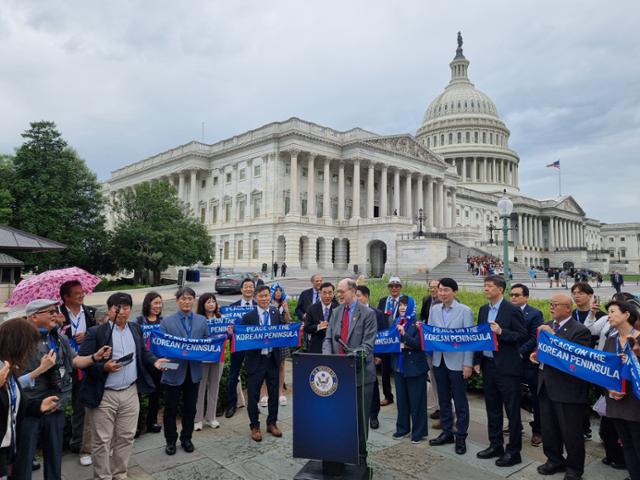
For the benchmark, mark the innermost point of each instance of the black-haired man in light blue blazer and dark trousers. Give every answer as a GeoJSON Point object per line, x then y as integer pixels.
{"type": "Point", "coordinates": [452, 369]}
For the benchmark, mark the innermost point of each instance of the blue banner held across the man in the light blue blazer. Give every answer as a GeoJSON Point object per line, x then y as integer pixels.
{"type": "Point", "coordinates": [468, 339]}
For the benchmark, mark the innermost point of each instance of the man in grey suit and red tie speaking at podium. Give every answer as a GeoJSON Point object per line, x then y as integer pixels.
{"type": "Point", "coordinates": [352, 325]}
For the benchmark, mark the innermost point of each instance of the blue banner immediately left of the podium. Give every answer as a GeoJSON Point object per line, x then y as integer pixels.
{"type": "Point", "coordinates": [253, 337]}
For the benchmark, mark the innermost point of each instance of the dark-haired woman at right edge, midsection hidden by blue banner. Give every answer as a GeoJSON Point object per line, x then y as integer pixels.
{"type": "Point", "coordinates": [623, 407]}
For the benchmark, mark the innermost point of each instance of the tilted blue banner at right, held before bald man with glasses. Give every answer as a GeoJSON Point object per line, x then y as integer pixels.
{"type": "Point", "coordinates": [594, 366]}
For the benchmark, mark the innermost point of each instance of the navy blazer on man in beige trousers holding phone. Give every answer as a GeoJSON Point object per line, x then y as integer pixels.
{"type": "Point", "coordinates": [92, 386]}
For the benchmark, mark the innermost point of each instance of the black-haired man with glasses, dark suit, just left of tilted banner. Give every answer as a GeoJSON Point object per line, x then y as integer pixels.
{"type": "Point", "coordinates": [532, 320]}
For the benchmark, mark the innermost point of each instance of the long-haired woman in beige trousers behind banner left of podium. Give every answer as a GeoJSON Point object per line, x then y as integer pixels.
{"type": "Point", "coordinates": [211, 372]}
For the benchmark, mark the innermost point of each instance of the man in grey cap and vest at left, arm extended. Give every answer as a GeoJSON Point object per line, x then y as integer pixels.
{"type": "Point", "coordinates": [55, 381]}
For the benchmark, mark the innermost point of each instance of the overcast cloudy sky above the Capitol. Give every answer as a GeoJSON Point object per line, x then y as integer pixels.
{"type": "Point", "coordinates": [124, 80]}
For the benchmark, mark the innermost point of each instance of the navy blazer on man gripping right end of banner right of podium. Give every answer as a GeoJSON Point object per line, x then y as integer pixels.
{"type": "Point", "coordinates": [511, 320]}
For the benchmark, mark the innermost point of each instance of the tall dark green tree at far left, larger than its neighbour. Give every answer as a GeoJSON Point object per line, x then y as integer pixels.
{"type": "Point", "coordinates": [56, 196]}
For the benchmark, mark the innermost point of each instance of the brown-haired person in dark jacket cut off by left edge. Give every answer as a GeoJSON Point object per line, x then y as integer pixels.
{"type": "Point", "coordinates": [18, 341]}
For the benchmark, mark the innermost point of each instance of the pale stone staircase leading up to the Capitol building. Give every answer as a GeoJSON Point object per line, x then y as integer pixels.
{"type": "Point", "coordinates": [455, 266]}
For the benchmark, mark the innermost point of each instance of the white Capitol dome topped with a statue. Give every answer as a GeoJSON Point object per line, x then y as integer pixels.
{"type": "Point", "coordinates": [463, 126]}
